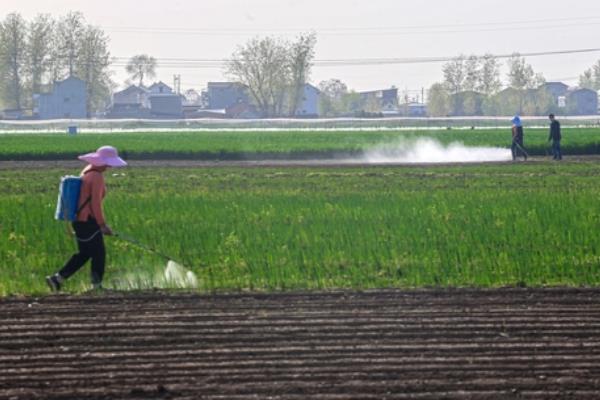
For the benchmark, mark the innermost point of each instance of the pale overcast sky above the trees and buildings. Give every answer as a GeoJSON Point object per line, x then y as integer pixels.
{"type": "Point", "coordinates": [346, 29]}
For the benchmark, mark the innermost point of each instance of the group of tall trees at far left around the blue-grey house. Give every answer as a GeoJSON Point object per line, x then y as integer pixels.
{"type": "Point", "coordinates": [34, 54]}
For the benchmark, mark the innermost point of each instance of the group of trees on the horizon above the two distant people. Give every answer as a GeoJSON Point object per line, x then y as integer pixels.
{"type": "Point", "coordinates": [472, 86]}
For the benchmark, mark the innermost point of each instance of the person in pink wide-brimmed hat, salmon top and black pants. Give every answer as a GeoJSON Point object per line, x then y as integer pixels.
{"type": "Point", "coordinates": [90, 225]}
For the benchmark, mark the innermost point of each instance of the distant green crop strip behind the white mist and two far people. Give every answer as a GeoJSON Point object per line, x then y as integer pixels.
{"type": "Point", "coordinates": [269, 144]}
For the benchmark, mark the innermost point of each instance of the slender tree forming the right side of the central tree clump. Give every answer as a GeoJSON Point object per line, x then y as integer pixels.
{"type": "Point", "coordinates": [301, 54]}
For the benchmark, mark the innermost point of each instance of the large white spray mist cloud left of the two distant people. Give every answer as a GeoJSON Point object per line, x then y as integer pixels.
{"type": "Point", "coordinates": [428, 150]}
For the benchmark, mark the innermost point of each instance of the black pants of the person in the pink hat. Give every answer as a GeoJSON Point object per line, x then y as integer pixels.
{"type": "Point", "coordinates": [90, 242]}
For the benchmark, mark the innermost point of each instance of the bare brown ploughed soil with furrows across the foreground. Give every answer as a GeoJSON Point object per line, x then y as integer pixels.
{"type": "Point", "coordinates": [386, 344]}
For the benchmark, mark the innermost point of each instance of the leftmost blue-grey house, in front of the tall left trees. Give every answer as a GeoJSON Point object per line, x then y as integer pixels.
{"type": "Point", "coordinates": [68, 99]}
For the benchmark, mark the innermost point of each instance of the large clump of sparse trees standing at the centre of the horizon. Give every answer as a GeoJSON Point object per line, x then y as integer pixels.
{"type": "Point", "coordinates": [275, 71]}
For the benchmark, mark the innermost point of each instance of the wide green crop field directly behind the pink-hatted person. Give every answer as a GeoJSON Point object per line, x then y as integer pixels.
{"type": "Point", "coordinates": [304, 228]}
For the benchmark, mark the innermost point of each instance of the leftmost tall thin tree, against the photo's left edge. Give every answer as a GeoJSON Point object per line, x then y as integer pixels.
{"type": "Point", "coordinates": [13, 51]}
